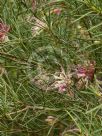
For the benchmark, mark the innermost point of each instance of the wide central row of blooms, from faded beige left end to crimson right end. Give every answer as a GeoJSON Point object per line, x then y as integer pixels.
{"type": "Point", "coordinates": [78, 76]}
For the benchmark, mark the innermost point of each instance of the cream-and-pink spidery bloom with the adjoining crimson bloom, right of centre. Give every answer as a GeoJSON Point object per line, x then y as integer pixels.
{"type": "Point", "coordinates": [78, 78]}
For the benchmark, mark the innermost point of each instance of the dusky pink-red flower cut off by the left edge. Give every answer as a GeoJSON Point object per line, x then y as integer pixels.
{"type": "Point", "coordinates": [3, 31]}
